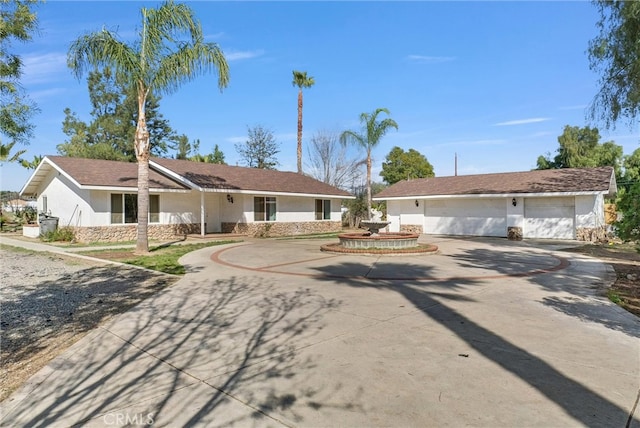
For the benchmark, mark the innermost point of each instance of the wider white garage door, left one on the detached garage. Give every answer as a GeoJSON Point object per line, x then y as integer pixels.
{"type": "Point", "coordinates": [479, 217]}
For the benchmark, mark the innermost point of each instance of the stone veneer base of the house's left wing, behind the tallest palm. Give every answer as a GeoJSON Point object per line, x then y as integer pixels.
{"type": "Point", "coordinates": [129, 232]}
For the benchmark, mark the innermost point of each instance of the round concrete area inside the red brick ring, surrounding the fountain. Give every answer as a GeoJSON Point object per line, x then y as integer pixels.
{"type": "Point", "coordinates": [453, 261]}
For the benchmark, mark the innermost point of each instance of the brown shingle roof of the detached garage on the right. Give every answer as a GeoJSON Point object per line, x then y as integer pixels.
{"type": "Point", "coordinates": [543, 181]}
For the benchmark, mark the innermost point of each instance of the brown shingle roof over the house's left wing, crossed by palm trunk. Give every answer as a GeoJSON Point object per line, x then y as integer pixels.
{"type": "Point", "coordinates": [98, 172]}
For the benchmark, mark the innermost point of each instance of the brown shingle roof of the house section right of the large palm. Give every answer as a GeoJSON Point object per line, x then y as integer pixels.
{"type": "Point", "coordinates": [229, 178]}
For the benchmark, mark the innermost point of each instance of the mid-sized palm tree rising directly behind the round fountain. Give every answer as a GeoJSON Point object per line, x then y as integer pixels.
{"type": "Point", "coordinates": [372, 133]}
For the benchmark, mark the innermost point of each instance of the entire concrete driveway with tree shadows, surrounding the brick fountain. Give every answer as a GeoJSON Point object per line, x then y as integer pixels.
{"type": "Point", "coordinates": [277, 333]}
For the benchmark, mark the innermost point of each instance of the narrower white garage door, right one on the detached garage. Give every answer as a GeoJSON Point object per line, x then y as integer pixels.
{"type": "Point", "coordinates": [551, 218]}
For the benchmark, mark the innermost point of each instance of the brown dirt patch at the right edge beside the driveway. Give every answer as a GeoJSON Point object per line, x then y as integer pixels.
{"type": "Point", "coordinates": [625, 260]}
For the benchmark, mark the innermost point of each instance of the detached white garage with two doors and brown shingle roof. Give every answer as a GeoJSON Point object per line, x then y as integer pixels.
{"type": "Point", "coordinates": [565, 203]}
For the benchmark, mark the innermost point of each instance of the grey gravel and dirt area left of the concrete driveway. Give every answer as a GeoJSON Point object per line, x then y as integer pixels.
{"type": "Point", "coordinates": [48, 302]}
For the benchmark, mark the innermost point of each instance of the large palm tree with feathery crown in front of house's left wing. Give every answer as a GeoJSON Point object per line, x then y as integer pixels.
{"type": "Point", "coordinates": [159, 62]}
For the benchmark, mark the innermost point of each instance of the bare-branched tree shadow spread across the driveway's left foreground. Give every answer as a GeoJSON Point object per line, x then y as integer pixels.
{"type": "Point", "coordinates": [206, 355]}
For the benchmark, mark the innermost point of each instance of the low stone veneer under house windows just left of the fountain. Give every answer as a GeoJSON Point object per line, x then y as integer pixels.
{"type": "Point", "coordinates": [268, 229]}
